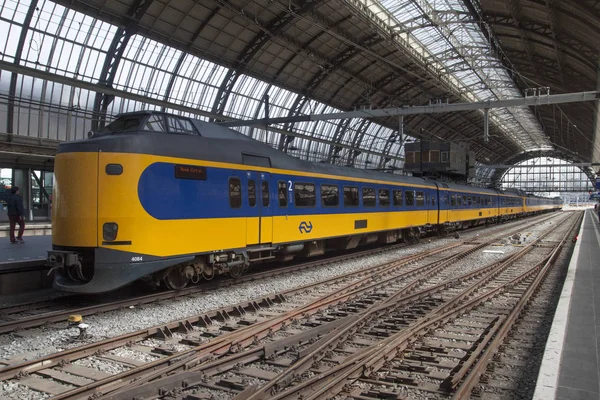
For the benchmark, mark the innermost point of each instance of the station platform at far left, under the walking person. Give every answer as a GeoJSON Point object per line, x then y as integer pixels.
{"type": "Point", "coordinates": [22, 266]}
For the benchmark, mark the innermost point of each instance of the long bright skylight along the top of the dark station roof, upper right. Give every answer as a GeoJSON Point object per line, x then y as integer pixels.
{"type": "Point", "coordinates": [457, 47]}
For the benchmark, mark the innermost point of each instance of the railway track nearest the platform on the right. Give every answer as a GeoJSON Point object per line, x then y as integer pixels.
{"type": "Point", "coordinates": [433, 342]}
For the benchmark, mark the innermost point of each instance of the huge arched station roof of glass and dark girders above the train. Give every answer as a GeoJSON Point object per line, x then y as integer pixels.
{"type": "Point", "coordinates": [218, 59]}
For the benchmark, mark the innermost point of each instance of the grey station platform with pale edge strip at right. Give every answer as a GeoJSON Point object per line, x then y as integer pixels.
{"type": "Point", "coordinates": [571, 363]}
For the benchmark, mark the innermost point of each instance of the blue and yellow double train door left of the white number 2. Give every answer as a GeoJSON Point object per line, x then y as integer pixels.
{"type": "Point", "coordinates": [259, 225]}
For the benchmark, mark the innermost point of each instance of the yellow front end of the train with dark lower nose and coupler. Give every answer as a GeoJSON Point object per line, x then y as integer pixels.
{"type": "Point", "coordinates": [100, 230]}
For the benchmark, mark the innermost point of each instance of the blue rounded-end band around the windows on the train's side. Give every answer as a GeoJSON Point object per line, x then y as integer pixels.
{"type": "Point", "coordinates": [166, 198]}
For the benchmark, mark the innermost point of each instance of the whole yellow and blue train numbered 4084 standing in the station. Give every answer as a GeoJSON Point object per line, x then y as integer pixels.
{"type": "Point", "coordinates": [169, 200]}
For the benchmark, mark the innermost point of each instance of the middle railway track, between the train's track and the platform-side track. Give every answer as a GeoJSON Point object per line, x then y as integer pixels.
{"type": "Point", "coordinates": [299, 315]}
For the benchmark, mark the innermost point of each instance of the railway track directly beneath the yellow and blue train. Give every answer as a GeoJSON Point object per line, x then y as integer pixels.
{"type": "Point", "coordinates": [39, 313]}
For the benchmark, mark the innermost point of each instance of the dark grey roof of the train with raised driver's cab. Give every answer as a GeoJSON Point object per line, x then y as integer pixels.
{"type": "Point", "coordinates": [221, 144]}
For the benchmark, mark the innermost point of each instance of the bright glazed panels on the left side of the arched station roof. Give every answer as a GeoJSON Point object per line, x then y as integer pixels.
{"type": "Point", "coordinates": [71, 44]}
